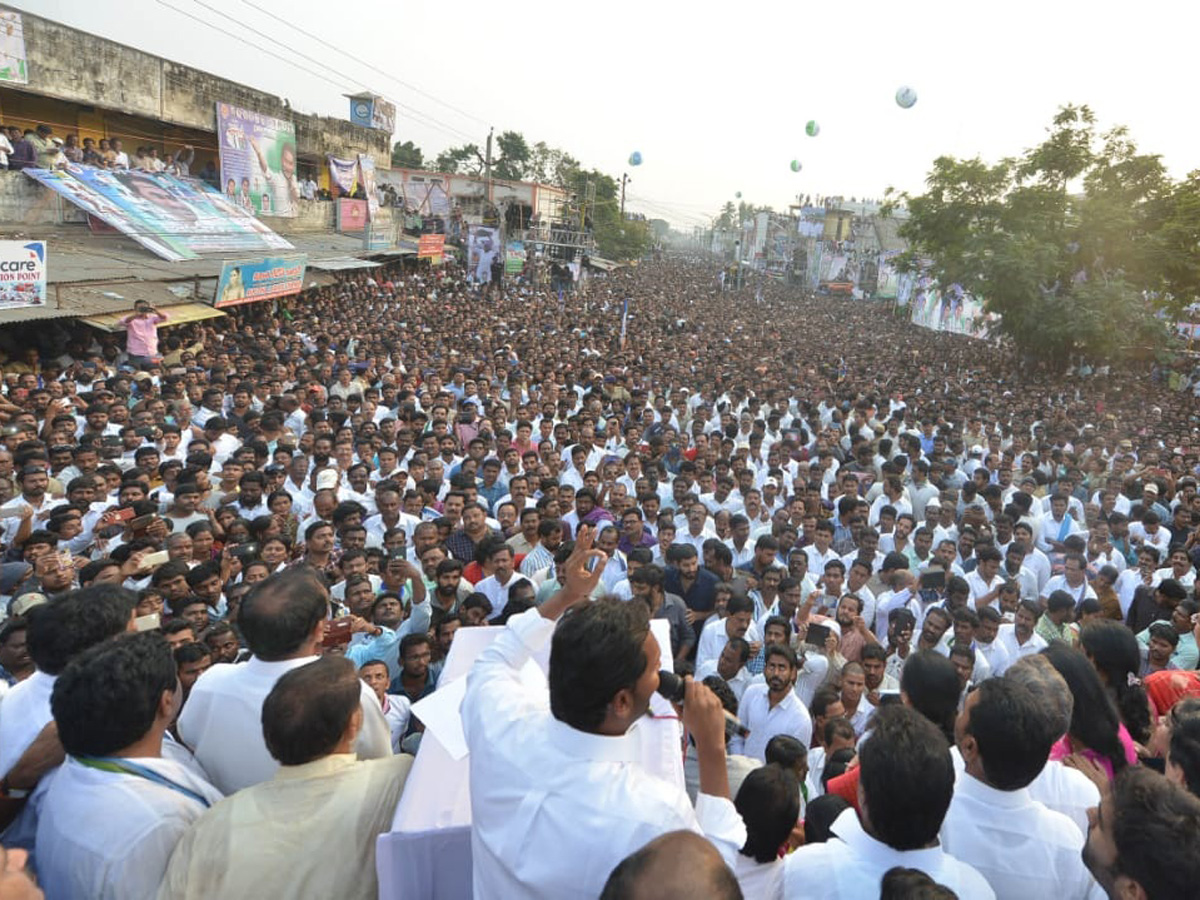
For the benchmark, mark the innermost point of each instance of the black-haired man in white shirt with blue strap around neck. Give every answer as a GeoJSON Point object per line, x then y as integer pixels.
{"type": "Point", "coordinates": [117, 808]}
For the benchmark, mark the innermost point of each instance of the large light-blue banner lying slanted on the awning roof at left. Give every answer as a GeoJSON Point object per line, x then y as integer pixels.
{"type": "Point", "coordinates": [173, 218]}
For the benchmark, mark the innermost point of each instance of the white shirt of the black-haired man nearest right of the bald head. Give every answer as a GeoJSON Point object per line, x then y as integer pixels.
{"type": "Point", "coordinates": [851, 867]}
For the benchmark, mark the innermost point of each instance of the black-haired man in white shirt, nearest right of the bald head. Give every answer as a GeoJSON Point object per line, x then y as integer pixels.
{"type": "Point", "coordinates": [905, 788]}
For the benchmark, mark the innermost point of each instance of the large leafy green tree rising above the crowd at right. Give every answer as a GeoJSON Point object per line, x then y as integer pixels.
{"type": "Point", "coordinates": [1065, 242]}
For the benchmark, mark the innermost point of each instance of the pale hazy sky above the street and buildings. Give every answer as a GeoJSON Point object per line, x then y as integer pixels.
{"type": "Point", "coordinates": [715, 97]}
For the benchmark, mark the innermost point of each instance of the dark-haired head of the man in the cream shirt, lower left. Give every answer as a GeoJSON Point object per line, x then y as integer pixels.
{"type": "Point", "coordinates": [310, 711]}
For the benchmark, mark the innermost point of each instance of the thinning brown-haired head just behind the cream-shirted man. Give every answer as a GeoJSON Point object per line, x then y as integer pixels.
{"type": "Point", "coordinates": [280, 616]}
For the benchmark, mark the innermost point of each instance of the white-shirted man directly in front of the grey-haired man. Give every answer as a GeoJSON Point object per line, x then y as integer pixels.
{"type": "Point", "coordinates": [1023, 849]}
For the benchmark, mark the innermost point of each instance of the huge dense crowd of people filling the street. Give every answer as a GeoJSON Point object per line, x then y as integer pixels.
{"type": "Point", "coordinates": [934, 604]}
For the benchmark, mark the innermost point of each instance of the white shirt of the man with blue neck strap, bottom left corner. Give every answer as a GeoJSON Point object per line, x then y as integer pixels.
{"type": "Point", "coordinates": [109, 836]}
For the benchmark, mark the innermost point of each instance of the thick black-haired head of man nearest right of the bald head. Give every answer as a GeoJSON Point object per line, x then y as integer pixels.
{"type": "Point", "coordinates": [908, 779]}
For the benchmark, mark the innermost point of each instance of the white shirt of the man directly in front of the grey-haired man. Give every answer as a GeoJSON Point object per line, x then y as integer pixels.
{"type": "Point", "coordinates": [1023, 849]}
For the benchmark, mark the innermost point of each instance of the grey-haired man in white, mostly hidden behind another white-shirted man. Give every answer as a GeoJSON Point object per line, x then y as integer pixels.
{"type": "Point", "coordinates": [1061, 787]}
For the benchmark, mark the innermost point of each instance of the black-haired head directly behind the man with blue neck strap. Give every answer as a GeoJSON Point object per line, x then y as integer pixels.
{"type": "Point", "coordinates": [68, 626]}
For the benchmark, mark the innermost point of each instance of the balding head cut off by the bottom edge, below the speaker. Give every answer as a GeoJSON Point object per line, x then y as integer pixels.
{"type": "Point", "coordinates": [679, 866]}
